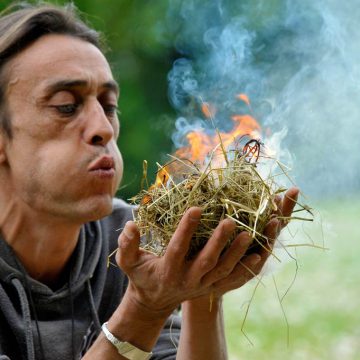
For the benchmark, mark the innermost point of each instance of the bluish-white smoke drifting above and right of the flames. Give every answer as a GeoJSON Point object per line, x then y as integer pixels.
{"type": "Point", "coordinates": [299, 63]}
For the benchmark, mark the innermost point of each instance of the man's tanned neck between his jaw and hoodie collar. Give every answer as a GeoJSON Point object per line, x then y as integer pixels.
{"type": "Point", "coordinates": [42, 243]}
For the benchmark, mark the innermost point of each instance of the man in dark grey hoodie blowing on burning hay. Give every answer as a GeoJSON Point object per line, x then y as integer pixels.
{"type": "Point", "coordinates": [59, 170]}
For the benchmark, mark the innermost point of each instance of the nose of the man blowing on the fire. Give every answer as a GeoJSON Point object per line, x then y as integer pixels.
{"type": "Point", "coordinates": [98, 129]}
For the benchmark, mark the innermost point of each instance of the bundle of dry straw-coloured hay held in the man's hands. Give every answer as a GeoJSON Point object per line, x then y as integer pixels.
{"type": "Point", "coordinates": [235, 190]}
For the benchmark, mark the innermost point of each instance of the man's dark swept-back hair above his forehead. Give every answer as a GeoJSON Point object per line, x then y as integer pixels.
{"type": "Point", "coordinates": [22, 24]}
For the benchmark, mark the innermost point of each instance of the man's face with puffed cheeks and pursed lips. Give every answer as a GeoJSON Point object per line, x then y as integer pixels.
{"type": "Point", "coordinates": [63, 159]}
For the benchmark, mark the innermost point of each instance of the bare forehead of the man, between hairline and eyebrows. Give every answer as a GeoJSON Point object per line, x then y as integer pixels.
{"type": "Point", "coordinates": [62, 58]}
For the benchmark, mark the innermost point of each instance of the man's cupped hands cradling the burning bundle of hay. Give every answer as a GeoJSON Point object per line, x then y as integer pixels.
{"type": "Point", "coordinates": [159, 284]}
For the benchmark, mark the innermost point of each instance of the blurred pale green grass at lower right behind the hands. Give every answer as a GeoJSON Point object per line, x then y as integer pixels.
{"type": "Point", "coordinates": [322, 306]}
